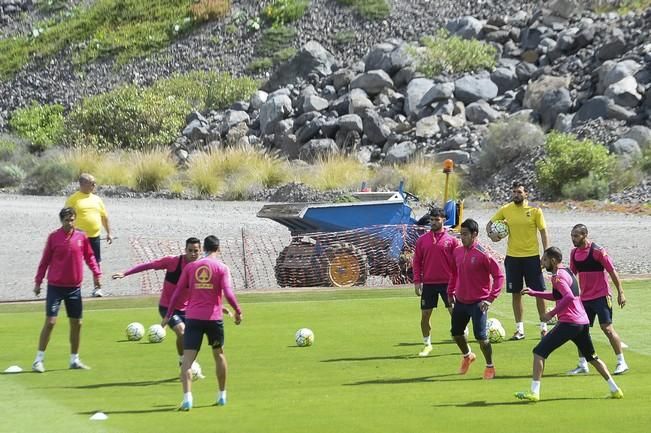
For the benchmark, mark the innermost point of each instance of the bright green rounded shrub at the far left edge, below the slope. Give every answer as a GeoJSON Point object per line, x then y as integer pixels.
{"type": "Point", "coordinates": [42, 125]}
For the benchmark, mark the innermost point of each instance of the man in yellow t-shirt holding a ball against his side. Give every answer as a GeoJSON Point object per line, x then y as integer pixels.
{"type": "Point", "coordinates": [522, 253]}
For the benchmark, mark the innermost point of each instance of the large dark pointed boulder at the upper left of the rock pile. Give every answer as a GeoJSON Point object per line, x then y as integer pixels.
{"type": "Point", "coordinates": [312, 58]}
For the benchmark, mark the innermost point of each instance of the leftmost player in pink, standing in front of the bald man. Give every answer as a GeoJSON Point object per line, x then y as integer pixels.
{"type": "Point", "coordinates": [65, 251]}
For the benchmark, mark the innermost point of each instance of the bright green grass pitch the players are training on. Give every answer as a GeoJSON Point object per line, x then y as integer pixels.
{"type": "Point", "coordinates": [361, 375]}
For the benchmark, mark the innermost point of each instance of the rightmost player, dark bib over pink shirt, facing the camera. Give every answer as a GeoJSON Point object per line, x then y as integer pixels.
{"type": "Point", "coordinates": [591, 262]}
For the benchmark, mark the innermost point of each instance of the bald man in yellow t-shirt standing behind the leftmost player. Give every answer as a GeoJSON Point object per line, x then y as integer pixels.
{"type": "Point", "coordinates": [91, 216]}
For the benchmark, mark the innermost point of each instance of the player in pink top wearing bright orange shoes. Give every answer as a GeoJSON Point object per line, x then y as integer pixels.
{"type": "Point", "coordinates": [471, 293]}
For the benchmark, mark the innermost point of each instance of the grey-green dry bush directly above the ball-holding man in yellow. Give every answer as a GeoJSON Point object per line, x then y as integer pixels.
{"type": "Point", "coordinates": [506, 142]}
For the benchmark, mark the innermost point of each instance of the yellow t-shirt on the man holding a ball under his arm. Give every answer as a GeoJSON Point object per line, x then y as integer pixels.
{"type": "Point", "coordinates": [524, 222]}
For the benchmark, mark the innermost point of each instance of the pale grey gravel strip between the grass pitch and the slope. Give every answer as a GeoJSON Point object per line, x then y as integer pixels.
{"type": "Point", "coordinates": [28, 220]}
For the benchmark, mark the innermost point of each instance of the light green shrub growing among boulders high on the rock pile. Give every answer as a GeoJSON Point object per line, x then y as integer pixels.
{"type": "Point", "coordinates": [444, 53]}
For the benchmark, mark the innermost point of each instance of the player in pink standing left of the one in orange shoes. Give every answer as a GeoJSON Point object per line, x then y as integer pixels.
{"type": "Point", "coordinates": [431, 265]}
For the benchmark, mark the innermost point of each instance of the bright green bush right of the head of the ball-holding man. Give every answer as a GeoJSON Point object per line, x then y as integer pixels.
{"type": "Point", "coordinates": [568, 160]}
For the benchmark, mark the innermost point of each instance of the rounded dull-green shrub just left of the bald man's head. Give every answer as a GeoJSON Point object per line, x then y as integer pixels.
{"type": "Point", "coordinates": [49, 177]}
